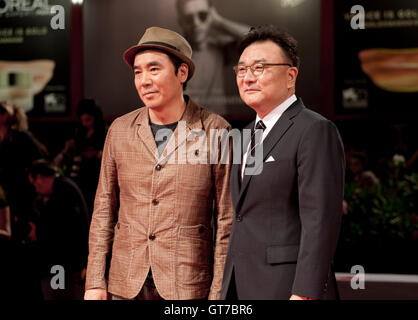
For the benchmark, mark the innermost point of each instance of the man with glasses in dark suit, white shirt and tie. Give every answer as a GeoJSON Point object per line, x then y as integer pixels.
{"type": "Point", "coordinates": [288, 207]}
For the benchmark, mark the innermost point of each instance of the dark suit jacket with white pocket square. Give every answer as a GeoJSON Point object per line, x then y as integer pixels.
{"type": "Point", "coordinates": [287, 218]}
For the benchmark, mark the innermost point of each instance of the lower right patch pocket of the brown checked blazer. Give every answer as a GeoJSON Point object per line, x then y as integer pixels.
{"type": "Point", "coordinates": [194, 254]}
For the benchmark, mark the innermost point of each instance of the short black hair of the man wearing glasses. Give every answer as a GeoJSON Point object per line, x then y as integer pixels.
{"type": "Point", "coordinates": [284, 40]}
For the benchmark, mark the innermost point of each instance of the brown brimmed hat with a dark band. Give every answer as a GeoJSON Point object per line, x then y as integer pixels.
{"type": "Point", "coordinates": [162, 39]}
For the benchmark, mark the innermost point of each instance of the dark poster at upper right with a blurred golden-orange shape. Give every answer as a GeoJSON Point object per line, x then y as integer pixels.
{"type": "Point", "coordinates": [376, 68]}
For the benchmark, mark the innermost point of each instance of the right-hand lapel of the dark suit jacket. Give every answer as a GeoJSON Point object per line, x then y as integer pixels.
{"type": "Point", "coordinates": [274, 136]}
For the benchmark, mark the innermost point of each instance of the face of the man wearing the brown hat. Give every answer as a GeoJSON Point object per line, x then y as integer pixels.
{"type": "Point", "coordinates": [156, 80]}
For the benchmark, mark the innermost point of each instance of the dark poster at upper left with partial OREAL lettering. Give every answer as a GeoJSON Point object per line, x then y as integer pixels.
{"type": "Point", "coordinates": [34, 55]}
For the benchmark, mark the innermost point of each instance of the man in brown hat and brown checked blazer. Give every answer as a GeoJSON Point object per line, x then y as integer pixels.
{"type": "Point", "coordinates": [162, 210]}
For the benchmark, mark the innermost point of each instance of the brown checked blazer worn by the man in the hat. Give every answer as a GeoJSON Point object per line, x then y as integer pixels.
{"type": "Point", "coordinates": [159, 212]}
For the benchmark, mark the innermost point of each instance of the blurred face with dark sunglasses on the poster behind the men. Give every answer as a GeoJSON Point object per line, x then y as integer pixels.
{"type": "Point", "coordinates": [195, 19]}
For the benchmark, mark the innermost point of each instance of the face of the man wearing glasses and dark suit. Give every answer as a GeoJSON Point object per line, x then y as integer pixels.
{"type": "Point", "coordinates": [274, 85]}
